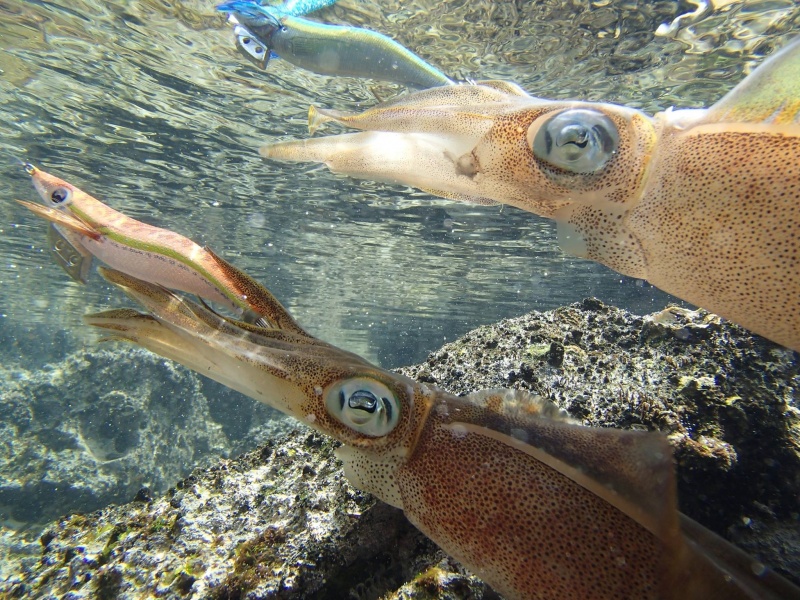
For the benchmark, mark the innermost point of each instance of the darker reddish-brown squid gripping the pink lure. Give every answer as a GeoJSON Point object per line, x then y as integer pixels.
{"type": "Point", "coordinates": [537, 505]}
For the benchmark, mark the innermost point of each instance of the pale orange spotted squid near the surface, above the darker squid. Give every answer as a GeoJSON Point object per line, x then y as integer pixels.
{"type": "Point", "coordinates": [702, 203]}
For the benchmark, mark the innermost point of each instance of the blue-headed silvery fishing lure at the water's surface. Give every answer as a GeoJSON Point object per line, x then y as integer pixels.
{"type": "Point", "coordinates": [263, 32]}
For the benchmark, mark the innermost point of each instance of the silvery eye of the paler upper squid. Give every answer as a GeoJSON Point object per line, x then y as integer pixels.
{"type": "Point", "coordinates": [577, 140]}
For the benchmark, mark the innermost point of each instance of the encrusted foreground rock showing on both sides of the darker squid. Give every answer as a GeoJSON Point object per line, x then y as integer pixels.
{"type": "Point", "coordinates": [283, 522]}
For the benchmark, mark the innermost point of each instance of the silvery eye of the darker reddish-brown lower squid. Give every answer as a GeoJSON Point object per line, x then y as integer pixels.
{"type": "Point", "coordinates": [365, 405]}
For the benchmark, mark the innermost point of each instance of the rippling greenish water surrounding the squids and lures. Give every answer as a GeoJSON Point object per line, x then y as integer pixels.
{"type": "Point", "coordinates": [148, 106]}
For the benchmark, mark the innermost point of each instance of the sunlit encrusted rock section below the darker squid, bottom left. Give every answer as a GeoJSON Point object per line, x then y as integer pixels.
{"type": "Point", "coordinates": [279, 522]}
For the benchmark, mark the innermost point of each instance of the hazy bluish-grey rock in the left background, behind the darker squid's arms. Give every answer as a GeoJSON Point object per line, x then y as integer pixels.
{"type": "Point", "coordinates": [97, 426]}
